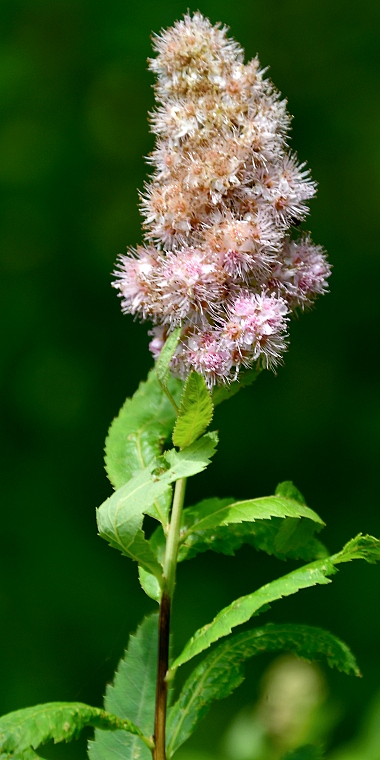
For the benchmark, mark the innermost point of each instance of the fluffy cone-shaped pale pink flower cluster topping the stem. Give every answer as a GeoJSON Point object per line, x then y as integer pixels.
{"type": "Point", "coordinates": [219, 259]}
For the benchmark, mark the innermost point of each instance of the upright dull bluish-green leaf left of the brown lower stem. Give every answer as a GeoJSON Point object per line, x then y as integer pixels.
{"type": "Point", "coordinates": [132, 694]}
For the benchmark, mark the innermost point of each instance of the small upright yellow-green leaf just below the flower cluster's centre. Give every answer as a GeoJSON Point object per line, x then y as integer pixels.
{"type": "Point", "coordinates": [195, 412]}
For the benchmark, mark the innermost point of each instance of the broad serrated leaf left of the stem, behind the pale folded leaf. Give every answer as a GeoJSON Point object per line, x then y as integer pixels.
{"type": "Point", "coordinates": [136, 435]}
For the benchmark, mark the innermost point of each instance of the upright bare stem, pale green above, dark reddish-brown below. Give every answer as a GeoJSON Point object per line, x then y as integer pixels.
{"type": "Point", "coordinates": [169, 572]}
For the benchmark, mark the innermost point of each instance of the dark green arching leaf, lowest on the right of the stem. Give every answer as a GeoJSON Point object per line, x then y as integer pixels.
{"type": "Point", "coordinates": [222, 670]}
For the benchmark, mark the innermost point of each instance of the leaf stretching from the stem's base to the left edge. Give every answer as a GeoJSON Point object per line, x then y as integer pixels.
{"type": "Point", "coordinates": [60, 721]}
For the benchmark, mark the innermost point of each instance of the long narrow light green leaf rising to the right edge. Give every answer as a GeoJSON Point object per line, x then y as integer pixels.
{"type": "Point", "coordinates": [242, 609]}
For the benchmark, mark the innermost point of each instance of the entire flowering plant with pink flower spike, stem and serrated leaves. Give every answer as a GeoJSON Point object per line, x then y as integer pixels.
{"type": "Point", "coordinates": [218, 278]}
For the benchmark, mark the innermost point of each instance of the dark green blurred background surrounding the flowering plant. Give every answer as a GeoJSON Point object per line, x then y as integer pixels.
{"type": "Point", "coordinates": [74, 95]}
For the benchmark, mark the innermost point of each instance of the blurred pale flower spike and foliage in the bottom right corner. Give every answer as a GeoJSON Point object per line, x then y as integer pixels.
{"type": "Point", "coordinates": [294, 719]}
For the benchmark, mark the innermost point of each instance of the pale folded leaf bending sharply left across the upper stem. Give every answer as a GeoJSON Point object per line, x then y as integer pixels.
{"type": "Point", "coordinates": [120, 517]}
